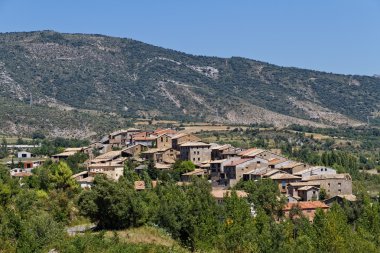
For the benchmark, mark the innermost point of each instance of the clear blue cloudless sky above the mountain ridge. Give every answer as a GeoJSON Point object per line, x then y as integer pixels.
{"type": "Point", "coordinates": [339, 36]}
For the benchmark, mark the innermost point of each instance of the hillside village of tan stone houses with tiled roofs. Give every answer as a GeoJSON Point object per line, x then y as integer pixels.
{"type": "Point", "coordinates": [305, 186]}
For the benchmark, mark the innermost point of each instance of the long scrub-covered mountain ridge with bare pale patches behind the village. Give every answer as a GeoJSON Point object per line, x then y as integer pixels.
{"type": "Point", "coordinates": [50, 75]}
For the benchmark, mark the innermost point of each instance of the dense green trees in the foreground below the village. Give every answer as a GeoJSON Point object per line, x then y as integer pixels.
{"type": "Point", "coordinates": [35, 213]}
